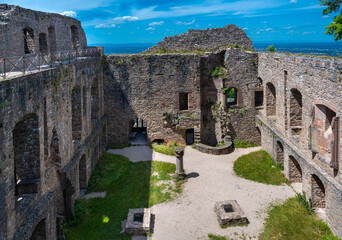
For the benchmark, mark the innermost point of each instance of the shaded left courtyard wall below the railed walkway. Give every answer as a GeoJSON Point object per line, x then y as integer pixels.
{"type": "Point", "coordinates": [45, 99]}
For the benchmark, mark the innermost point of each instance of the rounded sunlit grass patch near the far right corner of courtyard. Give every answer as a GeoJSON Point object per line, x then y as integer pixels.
{"type": "Point", "coordinates": [259, 166]}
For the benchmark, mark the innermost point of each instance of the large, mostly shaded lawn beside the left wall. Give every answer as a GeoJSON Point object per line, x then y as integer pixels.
{"type": "Point", "coordinates": [128, 185]}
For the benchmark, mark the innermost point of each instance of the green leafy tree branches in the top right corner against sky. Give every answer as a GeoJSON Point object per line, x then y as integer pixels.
{"type": "Point", "coordinates": [335, 28]}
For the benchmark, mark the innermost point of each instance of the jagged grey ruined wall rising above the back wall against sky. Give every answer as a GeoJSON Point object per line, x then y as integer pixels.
{"type": "Point", "coordinates": [205, 39]}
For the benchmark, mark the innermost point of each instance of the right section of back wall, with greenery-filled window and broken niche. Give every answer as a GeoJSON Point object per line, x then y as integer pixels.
{"type": "Point", "coordinates": [238, 120]}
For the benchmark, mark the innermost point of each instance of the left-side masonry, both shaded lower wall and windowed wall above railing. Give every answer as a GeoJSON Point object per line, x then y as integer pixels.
{"type": "Point", "coordinates": [52, 124]}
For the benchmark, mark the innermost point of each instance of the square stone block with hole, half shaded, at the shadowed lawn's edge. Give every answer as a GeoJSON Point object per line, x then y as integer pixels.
{"type": "Point", "coordinates": [138, 221]}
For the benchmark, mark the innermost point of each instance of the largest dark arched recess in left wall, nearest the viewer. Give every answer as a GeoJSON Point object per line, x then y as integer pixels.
{"type": "Point", "coordinates": [26, 147]}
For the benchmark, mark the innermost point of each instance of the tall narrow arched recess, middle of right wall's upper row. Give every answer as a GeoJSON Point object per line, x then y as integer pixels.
{"type": "Point", "coordinates": [296, 109]}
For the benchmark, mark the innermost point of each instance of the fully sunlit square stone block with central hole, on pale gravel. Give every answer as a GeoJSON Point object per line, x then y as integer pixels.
{"type": "Point", "coordinates": [230, 213]}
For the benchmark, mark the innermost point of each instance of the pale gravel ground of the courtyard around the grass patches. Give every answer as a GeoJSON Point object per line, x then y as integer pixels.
{"type": "Point", "coordinates": [192, 216]}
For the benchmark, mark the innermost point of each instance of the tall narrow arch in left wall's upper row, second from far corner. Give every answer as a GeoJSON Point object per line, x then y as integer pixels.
{"type": "Point", "coordinates": [76, 113]}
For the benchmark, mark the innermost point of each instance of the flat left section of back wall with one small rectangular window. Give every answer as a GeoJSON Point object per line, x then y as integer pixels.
{"type": "Point", "coordinates": [145, 87]}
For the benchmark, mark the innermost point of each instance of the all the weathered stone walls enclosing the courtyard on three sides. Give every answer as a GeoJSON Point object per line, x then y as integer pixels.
{"type": "Point", "coordinates": [55, 123]}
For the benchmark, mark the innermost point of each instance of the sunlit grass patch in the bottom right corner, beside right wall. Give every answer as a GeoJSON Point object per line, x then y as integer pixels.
{"type": "Point", "coordinates": [291, 220]}
